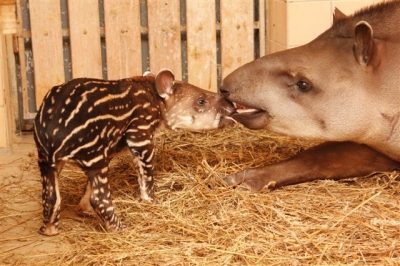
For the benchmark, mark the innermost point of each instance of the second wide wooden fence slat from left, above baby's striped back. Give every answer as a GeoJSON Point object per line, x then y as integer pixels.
{"type": "Point", "coordinates": [85, 38]}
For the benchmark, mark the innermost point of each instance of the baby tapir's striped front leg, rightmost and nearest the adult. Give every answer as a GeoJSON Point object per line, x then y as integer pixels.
{"type": "Point", "coordinates": [143, 152]}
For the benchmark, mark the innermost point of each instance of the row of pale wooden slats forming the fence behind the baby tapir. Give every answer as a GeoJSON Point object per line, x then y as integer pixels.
{"type": "Point", "coordinates": [123, 32]}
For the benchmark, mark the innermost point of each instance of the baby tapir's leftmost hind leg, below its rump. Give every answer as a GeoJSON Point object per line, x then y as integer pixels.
{"type": "Point", "coordinates": [51, 198]}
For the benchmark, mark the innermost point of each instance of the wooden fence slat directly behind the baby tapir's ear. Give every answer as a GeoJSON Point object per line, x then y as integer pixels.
{"type": "Point", "coordinates": [164, 35]}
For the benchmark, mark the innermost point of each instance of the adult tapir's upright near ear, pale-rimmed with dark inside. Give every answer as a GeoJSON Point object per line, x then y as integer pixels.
{"type": "Point", "coordinates": [364, 46]}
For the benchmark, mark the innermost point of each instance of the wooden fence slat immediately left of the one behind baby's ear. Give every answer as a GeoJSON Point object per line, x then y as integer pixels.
{"type": "Point", "coordinates": [122, 28]}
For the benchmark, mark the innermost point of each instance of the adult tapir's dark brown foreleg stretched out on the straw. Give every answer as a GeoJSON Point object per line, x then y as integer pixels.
{"type": "Point", "coordinates": [331, 160]}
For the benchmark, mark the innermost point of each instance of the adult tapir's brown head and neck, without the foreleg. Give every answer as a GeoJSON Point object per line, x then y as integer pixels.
{"type": "Point", "coordinates": [342, 86]}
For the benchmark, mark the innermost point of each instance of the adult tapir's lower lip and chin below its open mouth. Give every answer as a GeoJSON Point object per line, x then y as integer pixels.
{"type": "Point", "coordinates": [252, 118]}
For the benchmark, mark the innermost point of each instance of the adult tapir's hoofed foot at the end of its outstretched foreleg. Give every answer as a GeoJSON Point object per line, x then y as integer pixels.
{"type": "Point", "coordinates": [248, 179]}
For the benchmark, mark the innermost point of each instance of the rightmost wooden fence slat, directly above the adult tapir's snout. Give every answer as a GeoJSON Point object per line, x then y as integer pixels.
{"type": "Point", "coordinates": [237, 34]}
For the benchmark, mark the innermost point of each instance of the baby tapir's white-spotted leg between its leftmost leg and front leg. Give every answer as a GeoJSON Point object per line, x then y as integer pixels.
{"type": "Point", "coordinates": [100, 198]}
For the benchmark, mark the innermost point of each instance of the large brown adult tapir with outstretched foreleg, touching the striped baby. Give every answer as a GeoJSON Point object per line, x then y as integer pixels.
{"type": "Point", "coordinates": [342, 88]}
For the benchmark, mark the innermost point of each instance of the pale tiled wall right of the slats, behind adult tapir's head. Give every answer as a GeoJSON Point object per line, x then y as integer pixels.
{"type": "Point", "coordinates": [296, 22]}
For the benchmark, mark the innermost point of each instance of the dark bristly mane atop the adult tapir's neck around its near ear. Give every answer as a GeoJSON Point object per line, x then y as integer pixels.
{"type": "Point", "coordinates": [383, 17]}
